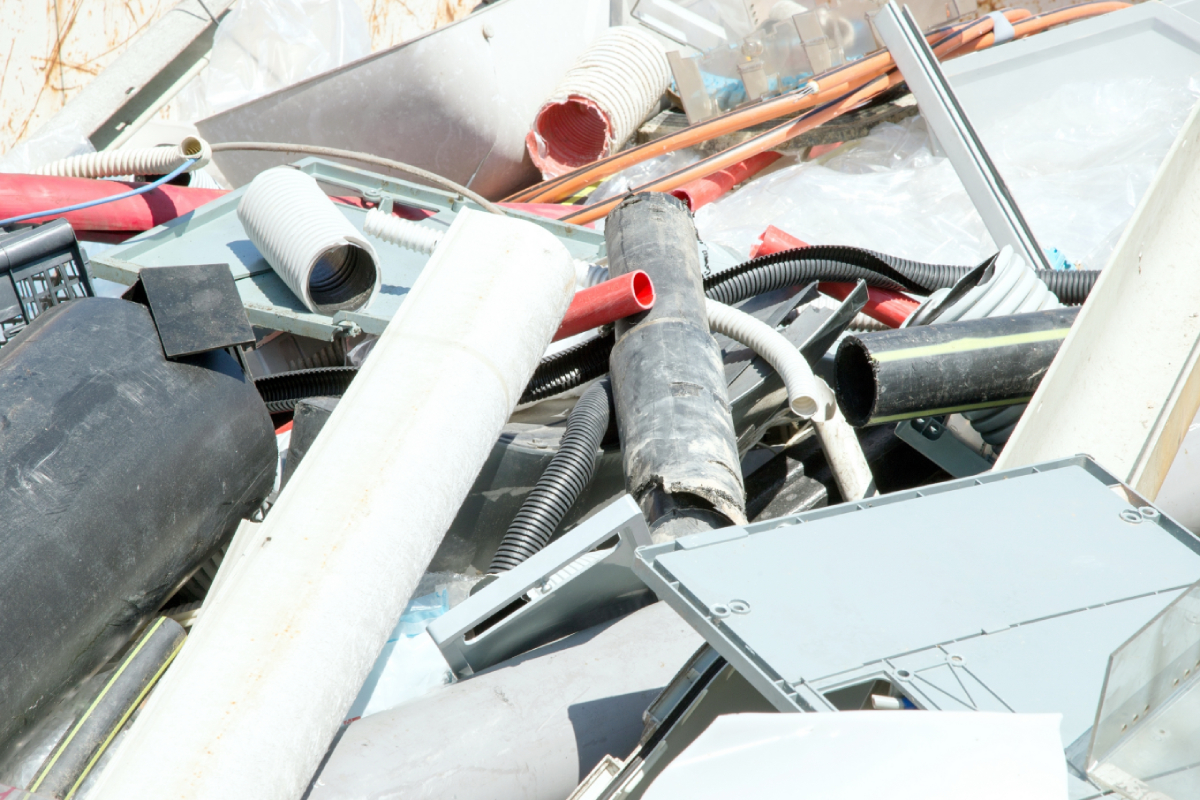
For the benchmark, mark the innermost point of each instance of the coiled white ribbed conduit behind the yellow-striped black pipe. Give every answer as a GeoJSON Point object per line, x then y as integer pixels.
{"type": "Point", "coordinates": [1012, 288]}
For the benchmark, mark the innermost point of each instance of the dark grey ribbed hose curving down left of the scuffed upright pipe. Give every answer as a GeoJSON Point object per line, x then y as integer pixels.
{"type": "Point", "coordinates": [562, 484]}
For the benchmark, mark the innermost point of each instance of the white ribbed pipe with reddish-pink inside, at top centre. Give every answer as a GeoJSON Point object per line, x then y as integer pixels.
{"type": "Point", "coordinates": [601, 103]}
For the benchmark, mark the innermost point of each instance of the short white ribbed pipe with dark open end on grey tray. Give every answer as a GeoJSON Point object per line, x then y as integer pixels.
{"type": "Point", "coordinates": [309, 243]}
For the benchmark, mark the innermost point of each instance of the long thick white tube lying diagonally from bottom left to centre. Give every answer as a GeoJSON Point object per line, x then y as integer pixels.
{"type": "Point", "coordinates": [263, 683]}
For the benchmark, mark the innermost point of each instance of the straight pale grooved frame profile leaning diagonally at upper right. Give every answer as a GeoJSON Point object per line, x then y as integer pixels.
{"type": "Point", "coordinates": [950, 124]}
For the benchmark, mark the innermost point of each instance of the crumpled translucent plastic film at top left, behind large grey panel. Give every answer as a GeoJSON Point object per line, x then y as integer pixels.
{"type": "Point", "coordinates": [267, 45]}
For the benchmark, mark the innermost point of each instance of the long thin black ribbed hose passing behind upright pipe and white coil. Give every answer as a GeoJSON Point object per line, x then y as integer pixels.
{"type": "Point", "coordinates": [584, 363]}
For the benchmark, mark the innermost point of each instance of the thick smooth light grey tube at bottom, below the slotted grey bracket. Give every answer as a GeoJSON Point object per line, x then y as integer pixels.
{"type": "Point", "coordinates": [526, 730]}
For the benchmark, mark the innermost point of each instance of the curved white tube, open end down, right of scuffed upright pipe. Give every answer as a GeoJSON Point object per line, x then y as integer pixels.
{"type": "Point", "coordinates": [807, 396]}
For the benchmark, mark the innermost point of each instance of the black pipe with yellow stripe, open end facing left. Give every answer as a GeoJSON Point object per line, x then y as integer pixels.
{"type": "Point", "coordinates": [950, 368]}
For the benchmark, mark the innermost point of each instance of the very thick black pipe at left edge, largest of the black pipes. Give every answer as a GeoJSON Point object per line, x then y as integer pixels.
{"type": "Point", "coordinates": [122, 473]}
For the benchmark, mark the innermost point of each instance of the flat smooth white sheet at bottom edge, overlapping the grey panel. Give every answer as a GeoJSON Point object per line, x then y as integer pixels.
{"type": "Point", "coordinates": [872, 756]}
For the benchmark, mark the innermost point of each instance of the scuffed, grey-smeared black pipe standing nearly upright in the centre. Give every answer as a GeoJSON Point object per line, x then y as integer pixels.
{"type": "Point", "coordinates": [677, 441]}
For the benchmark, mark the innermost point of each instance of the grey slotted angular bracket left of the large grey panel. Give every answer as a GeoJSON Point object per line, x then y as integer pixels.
{"type": "Point", "coordinates": [568, 586]}
